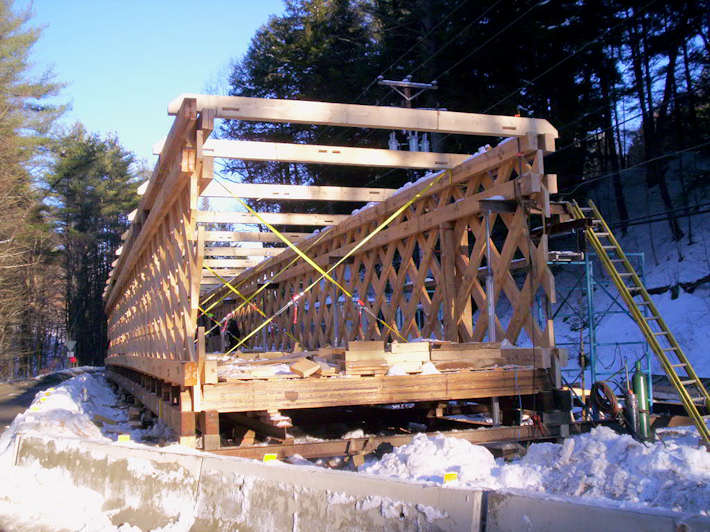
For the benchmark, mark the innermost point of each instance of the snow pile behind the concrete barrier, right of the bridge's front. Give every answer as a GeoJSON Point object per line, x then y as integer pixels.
{"type": "Point", "coordinates": [601, 465]}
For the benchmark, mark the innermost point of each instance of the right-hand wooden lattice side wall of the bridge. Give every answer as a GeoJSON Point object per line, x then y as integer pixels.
{"type": "Point", "coordinates": [424, 274]}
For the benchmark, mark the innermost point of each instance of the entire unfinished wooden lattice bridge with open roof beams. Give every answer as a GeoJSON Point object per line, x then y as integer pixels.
{"type": "Point", "coordinates": [420, 297]}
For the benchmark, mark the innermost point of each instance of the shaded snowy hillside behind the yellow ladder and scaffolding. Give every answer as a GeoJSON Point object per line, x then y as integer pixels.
{"type": "Point", "coordinates": [676, 272]}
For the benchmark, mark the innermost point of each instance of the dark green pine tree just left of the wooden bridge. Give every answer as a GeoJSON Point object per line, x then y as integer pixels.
{"type": "Point", "coordinates": [92, 183]}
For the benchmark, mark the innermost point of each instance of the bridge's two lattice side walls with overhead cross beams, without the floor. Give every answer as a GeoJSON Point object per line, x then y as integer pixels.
{"type": "Point", "coordinates": [423, 274]}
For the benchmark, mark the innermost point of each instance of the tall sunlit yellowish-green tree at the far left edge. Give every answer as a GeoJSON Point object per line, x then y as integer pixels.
{"type": "Point", "coordinates": [25, 122]}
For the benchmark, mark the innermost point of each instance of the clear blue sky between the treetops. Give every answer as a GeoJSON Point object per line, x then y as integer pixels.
{"type": "Point", "coordinates": [123, 61]}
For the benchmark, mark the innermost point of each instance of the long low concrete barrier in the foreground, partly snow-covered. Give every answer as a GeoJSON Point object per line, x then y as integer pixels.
{"type": "Point", "coordinates": [151, 488]}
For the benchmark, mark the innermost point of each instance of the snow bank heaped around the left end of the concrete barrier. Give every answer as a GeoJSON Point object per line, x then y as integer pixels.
{"type": "Point", "coordinates": [34, 498]}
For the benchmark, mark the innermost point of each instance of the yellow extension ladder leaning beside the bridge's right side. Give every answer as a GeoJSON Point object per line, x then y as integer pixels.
{"type": "Point", "coordinates": [658, 335]}
